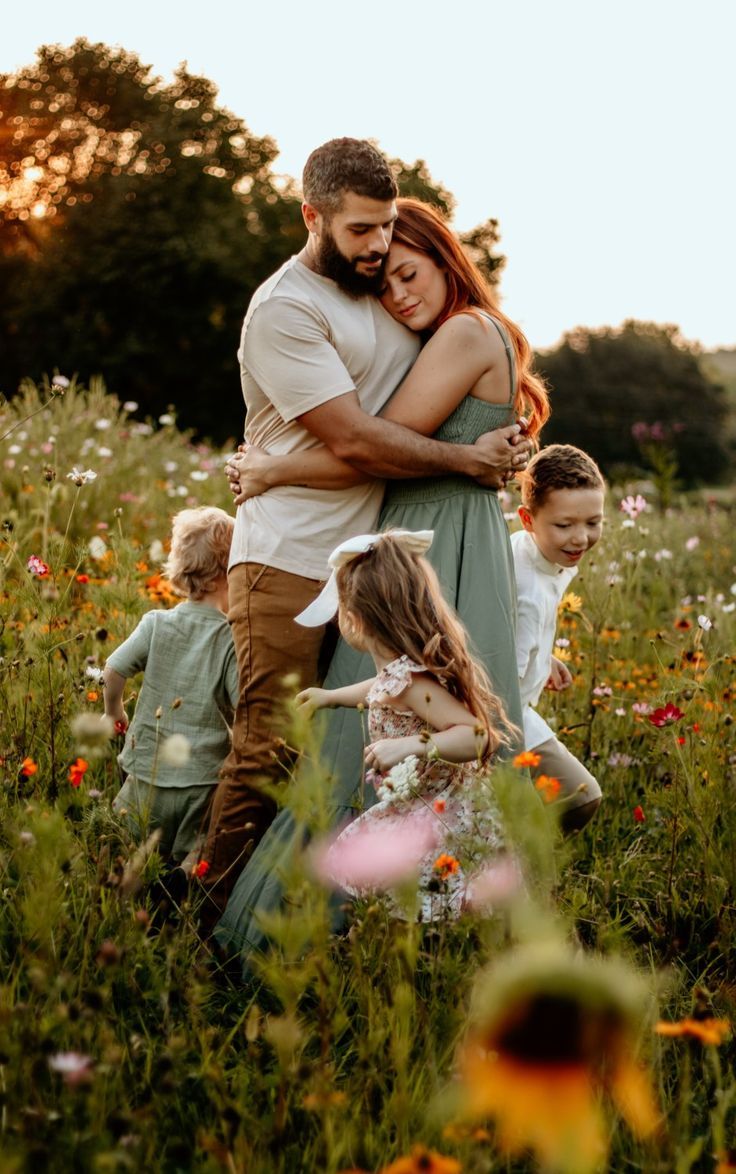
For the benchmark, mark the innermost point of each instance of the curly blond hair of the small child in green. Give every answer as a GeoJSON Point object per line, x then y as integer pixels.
{"type": "Point", "coordinates": [200, 550]}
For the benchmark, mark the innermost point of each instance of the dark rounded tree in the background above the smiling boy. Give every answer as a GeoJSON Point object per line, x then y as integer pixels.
{"type": "Point", "coordinates": [606, 382]}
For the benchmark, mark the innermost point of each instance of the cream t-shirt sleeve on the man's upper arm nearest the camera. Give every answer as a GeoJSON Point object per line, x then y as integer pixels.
{"type": "Point", "coordinates": [287, 350]}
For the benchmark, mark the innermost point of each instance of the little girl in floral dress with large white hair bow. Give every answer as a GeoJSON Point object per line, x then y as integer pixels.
{"type": "Point", "coordinates": [434, 720]}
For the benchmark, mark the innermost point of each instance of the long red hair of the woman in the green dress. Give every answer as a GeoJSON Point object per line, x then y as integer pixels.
{"type": "Point", "coordinates": [421, 227]}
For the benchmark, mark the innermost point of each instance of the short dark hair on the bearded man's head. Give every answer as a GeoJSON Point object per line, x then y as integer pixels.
{"type": "Point", "coordinates": [347, 165]}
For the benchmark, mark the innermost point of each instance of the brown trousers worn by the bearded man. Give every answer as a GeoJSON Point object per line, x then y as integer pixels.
{"type": "Point", "coordinates": [269, 646]}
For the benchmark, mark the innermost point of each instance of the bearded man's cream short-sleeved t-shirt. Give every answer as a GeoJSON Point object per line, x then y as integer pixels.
{"type": "Point", "coordinates": [303, 343]}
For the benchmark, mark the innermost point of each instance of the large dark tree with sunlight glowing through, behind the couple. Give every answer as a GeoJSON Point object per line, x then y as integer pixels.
{"type": "Point", "coordinates": [137, 219]}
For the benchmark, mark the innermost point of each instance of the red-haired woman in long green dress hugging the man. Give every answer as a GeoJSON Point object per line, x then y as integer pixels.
{"type": "Point", "coordinates": [474, 375]}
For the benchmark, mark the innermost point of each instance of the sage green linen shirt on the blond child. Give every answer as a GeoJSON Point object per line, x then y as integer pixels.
{"type": "Point", "coordinates": [187, 656]}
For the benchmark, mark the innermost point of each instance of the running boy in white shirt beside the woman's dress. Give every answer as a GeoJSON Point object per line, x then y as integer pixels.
{"type": "Point", "coordinates": [563, 495]}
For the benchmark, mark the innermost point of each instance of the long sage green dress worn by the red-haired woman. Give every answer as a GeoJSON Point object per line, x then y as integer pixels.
{"type": "Point", "coordinates": [471, 555]}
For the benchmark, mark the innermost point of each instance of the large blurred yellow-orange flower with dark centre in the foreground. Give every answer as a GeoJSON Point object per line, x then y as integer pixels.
{"type": "Point", "coordinates": [551, 1034]}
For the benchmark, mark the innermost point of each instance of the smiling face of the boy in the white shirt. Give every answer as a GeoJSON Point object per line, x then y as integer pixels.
{"type": "Point", "coordinates": [566, 525]}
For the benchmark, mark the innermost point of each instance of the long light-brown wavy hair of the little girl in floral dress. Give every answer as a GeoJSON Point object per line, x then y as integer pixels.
{"type": "Point", "coordinates": [397, 598]}
